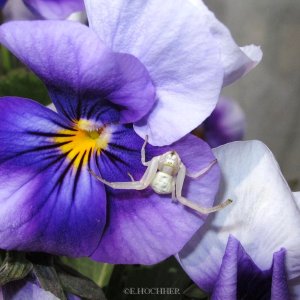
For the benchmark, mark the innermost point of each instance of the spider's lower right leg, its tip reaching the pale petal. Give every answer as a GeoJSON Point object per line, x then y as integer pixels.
{"type": "Point", "coordinates": [203, 210]}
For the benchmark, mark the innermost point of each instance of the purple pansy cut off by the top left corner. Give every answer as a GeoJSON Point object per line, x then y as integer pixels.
{"type": "Point", "coordinates": [40, 9]}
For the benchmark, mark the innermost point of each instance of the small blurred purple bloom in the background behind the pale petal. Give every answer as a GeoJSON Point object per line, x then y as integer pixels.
{"type": "Point", "coordinates": [225, 124]}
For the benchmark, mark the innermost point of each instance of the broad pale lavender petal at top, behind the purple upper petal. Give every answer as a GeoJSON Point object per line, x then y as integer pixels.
{"type": "Point", "coordinates": [182, 56]}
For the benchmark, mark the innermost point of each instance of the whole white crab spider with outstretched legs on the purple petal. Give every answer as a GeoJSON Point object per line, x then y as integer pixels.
{"type": "Point", "coordinates": [165, 174]}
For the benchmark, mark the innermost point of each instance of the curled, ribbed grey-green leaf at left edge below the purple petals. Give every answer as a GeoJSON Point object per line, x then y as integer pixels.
{"type": "Point", "coordinates": [14, 267]}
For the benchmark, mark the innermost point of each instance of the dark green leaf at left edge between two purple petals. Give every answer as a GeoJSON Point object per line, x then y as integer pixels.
{"type": "Point", "coordinates": [22, 83]}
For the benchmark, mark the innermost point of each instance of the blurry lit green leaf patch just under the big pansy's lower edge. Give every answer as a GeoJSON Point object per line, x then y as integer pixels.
{"type": "Point", "coordinates": [98, 272]}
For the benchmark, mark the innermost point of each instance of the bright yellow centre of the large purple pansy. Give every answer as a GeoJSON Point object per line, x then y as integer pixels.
{"type": "Point", "coordinates": [85, 139]}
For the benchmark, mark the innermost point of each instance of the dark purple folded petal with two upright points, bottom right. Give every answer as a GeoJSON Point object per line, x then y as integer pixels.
{"type": "Point", "coordinates": [240, 278]}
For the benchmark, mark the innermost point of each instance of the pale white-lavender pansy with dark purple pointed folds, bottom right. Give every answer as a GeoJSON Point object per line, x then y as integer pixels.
{"type": "Point", "coordinates": [251, 250]}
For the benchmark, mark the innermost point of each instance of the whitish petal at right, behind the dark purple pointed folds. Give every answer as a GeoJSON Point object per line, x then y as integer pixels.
{"type": "Point", "coordinates": [263, 216]}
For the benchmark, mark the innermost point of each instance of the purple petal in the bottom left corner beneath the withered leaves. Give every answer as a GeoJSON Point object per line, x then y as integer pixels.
{"type": "Point", "coordinates": [25, 290]}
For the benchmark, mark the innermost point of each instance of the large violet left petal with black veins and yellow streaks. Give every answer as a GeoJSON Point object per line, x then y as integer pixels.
{"type": "Point", "coordinates": [48, 202]}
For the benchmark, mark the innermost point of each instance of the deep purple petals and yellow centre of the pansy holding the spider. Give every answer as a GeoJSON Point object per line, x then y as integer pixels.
{"type": "Point", "coordinates": [49, 200]}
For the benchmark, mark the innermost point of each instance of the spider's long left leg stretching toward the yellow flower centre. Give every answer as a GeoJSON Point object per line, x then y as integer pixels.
{"type": "Point", "coordinates": [143, 183]}
